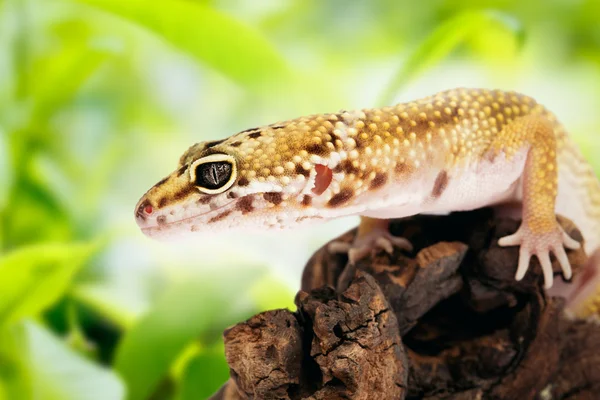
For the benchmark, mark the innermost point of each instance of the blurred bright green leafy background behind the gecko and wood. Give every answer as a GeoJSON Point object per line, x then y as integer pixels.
{"type": "Point", "coordinates": [95, 94]}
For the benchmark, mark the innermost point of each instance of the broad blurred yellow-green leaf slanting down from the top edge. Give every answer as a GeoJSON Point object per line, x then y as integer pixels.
{"type": "Point", "coordinates": [214, 38]}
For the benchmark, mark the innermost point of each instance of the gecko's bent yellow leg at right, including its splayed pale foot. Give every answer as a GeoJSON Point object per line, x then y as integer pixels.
{"type": "Point", "coordinates": [540, 232]}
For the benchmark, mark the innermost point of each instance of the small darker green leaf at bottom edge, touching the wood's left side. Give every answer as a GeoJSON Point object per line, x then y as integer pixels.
{"type": "Point", "coordinates": [204, 375]}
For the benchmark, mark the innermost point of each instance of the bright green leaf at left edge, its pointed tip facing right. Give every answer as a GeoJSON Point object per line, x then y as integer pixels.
{"type": "Point", "coordinates": [34, 277]}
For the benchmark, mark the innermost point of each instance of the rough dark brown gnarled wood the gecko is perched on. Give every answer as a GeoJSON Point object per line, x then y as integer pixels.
{"type": "Point", "coordinates": [446, 322]}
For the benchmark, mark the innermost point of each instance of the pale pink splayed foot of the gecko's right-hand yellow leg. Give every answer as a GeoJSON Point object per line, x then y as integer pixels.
{"type": "Point", "coordinates": [541, 245]}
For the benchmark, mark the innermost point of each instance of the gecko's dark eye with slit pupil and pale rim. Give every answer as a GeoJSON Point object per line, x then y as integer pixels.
{"type": "Point", "coordinates": [213, 174]}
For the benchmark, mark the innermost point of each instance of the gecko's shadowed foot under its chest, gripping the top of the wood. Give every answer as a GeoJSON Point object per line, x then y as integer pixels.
{"type": "Point", "coordinates": [371, 243]}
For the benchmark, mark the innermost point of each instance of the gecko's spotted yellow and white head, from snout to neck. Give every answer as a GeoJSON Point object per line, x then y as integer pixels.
{"type": "Point", "coordinates": [257, 179]}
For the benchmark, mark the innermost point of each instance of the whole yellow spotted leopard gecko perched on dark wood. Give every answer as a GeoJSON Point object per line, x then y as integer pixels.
{"type": "Point", "coordinates": [457, 150]}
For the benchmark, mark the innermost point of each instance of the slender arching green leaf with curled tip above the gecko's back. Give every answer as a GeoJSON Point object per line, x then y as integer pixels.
{"type": "Point", "coordinates": [444, 39]}
